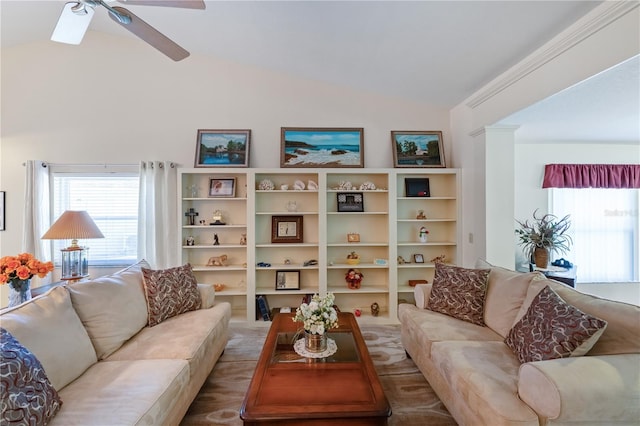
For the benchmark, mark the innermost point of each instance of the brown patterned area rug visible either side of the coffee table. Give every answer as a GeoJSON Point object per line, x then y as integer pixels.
{"type": "Point", "coordinates": [412, 400]}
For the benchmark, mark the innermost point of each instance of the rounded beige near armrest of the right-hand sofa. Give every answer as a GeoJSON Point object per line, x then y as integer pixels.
{"type": "Point", "coordinates": [590, 389]}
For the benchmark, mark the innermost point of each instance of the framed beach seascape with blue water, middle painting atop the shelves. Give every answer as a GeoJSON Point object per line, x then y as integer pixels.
{"type": "Point", "coordinates": [321, 147]}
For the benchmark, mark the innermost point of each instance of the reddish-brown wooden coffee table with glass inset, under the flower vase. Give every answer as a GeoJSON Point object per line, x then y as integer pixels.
{"type": "Point", "coordinates": [289, 389]}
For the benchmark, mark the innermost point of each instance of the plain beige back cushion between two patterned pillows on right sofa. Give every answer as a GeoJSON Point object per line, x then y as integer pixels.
{"type": "Point", "coordinates": [506, 290]}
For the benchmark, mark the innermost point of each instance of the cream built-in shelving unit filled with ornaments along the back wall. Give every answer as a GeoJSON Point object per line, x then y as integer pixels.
{"type": "Point", "coordinates": [387, 229]}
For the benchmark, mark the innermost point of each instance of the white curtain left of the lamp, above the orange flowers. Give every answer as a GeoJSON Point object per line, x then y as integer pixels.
{"type": "Point", "coordinates": [37, 219]}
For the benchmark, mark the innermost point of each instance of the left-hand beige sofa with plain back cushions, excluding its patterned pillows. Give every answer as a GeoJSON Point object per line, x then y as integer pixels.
{"type": "Point", "coordinates": [107, 365]}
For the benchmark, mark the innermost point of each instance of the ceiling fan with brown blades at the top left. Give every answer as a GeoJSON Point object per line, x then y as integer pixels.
{"type": "Point", "coordinates": [76, 17]}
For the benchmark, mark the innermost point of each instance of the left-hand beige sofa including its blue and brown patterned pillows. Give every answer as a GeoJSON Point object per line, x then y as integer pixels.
{"type": "Point", "coordinates": [116, 350]}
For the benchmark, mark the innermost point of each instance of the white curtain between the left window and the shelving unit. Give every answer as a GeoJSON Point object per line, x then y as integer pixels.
{"type": "Point", "coordinates": [157, 221]}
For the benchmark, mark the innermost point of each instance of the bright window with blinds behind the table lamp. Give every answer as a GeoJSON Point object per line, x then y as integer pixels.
{"type": "Point", "coordinates": [111, 199]}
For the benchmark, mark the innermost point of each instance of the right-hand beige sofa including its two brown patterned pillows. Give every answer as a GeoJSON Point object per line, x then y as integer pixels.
{"type": "Point", "coordinates": [524, 350]}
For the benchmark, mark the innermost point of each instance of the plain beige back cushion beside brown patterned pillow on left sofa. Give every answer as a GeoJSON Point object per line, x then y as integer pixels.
{"type": "Point", "coordinates": [112, 308]}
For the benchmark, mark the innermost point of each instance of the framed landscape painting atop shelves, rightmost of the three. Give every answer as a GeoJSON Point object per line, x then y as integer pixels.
{"type": "Point", "coordinates": [417, 148]}
